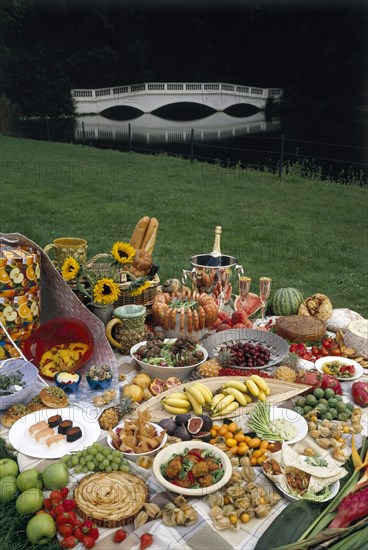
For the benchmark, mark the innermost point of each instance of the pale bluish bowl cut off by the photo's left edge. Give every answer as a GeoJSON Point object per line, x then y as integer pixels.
{"type": "Point", "coordinates": [29, 373]}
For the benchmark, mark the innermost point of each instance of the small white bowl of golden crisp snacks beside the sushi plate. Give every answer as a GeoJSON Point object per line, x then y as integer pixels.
{"type": "Point", "coordinates": [137, 438]}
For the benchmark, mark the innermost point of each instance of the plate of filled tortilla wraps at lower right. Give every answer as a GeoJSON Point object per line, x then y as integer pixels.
{"type": "Point", "coordinates": [299, 476]}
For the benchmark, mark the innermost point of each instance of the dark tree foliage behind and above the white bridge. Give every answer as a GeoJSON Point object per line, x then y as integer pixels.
{"type": "Point", "coordinates": [316, 52]}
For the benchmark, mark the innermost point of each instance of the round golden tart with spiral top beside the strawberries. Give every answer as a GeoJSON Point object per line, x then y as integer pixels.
{"type": "Point", "coordinates": [110, 499]}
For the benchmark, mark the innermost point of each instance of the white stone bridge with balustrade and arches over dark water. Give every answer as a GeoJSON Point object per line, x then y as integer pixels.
{"type": "Point", "coordinates": [148, 97]}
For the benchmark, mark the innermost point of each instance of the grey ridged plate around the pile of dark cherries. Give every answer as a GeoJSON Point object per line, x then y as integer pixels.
{"type": "Point", "coordinates": [277, 346]}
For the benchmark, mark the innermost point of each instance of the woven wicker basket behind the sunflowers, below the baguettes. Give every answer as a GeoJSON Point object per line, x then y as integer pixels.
{"type": "Point", "coordinates": [125, 280]}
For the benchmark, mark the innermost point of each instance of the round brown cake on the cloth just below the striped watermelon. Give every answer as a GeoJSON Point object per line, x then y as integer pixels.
{"type": "Point", "coordinates": [298, 328]}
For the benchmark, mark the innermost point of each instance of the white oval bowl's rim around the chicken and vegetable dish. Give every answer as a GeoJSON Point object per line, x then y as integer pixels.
{"type": "Point", "coordinates": [177, 448]}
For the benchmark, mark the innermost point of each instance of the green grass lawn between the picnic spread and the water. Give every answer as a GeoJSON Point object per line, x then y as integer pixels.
{"type": "Point", "coordinates": [302, 233]}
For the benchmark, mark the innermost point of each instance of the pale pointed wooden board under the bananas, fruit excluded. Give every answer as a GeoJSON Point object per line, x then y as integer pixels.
{"type": "Point", "coordinates": [280, 391]}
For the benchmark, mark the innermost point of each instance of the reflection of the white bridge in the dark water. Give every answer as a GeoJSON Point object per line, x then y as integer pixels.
{"type": "Point", "coordinates": [150, 129]}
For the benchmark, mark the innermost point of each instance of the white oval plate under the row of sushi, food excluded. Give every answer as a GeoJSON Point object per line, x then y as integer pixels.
{"type": "Point", "coordinates": [25, 443]}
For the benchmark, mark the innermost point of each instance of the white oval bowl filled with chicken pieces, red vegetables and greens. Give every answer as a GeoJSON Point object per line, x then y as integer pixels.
{"type": "Point", "coordinates": [192, 468]}
